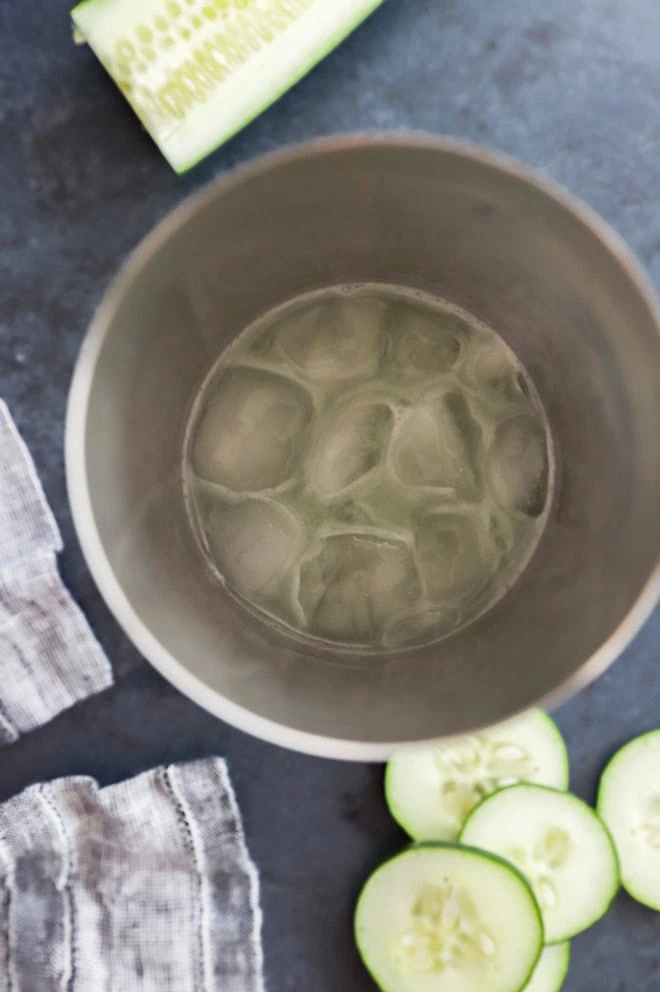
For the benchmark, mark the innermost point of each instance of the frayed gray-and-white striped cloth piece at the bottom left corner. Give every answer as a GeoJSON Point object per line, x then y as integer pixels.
{"type": "Point", "coordinates": [145, 886]}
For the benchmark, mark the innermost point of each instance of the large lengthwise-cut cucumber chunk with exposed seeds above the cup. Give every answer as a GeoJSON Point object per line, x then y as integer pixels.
{"type": "Point", "coordinates": [196, 71]}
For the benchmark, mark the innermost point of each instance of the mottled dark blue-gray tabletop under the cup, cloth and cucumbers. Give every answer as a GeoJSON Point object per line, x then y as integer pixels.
{"type": "Point", "coordinates": [570, 86]}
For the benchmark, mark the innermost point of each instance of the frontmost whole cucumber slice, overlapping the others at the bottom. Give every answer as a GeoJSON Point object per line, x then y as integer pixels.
{"type": "Point", "coordinates": [440, 918]}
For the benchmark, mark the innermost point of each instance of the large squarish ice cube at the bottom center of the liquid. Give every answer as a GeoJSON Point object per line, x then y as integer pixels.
{"type": "Point", "coordinates": [353, 583]}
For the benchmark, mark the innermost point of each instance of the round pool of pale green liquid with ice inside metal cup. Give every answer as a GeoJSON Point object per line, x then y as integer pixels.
{"type": "Point", "coordinates": [368, 466]}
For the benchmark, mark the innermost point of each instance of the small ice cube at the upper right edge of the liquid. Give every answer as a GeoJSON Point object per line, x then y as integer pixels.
{"type": "Point", "coordinates": [492, 367]}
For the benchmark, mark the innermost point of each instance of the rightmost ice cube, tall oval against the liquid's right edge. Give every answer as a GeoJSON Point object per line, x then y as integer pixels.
{"type": "Point", "coordinates": [517, 465]}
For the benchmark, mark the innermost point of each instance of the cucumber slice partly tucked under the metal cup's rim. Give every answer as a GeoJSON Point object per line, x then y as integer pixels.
{"type": "Point", "coordinates": [431, 792]}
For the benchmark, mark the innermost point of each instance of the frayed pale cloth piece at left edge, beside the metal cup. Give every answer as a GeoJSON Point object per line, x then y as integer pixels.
{"type": "Point", "coordinates": [49, 657]}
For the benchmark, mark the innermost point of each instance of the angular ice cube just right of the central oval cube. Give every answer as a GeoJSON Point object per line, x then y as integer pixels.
{"type": "Point", "coordinates": [439, 445]}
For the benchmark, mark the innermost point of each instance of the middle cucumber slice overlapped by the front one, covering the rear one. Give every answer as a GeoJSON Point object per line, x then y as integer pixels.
{"type": "Point", "coordinates": [560, 845]}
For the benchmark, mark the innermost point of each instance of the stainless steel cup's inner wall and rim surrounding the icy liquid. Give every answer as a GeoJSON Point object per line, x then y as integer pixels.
{"type": "Point", "coordinates": [448, 219]}
